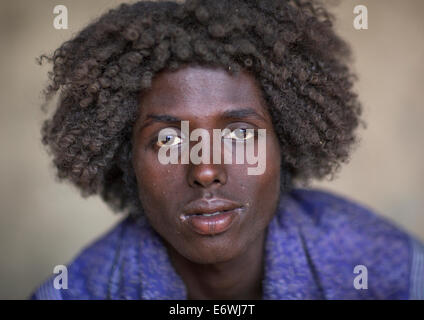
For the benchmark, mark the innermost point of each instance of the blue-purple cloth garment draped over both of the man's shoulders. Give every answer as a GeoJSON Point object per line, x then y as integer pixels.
{"type": "Point", "coordinates": [313, 244]}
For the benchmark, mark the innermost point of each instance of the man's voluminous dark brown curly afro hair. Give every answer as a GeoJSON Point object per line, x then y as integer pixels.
{"type": "Point", "coordinates": [289, 46]}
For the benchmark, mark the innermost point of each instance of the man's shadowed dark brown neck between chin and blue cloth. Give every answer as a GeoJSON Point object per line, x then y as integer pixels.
{"type": "Point", "coordinates": [239, 278]}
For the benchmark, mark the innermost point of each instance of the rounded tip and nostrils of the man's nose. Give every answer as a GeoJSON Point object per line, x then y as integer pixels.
{"type": "Point", "coordinates": [206, 175]}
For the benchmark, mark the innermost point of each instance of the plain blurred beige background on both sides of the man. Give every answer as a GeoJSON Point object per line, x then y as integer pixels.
{"type": "Point", "coordinates": [43, 223]}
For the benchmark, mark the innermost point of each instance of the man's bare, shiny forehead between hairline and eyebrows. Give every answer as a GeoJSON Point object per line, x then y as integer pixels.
{"type": "Point", "coordinates": [201, 91]}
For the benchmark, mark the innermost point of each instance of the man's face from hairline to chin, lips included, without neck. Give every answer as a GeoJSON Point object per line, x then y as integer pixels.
{"type": "Point", "coordinates": [208, 213]}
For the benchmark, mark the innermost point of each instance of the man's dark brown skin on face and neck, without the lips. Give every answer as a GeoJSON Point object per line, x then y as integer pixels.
{"type": "Point", "coordinates": [228, 265]}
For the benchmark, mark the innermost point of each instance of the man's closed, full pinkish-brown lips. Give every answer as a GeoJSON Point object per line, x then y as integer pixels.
{"type": "Point", "coordinates": [212, 216]}
